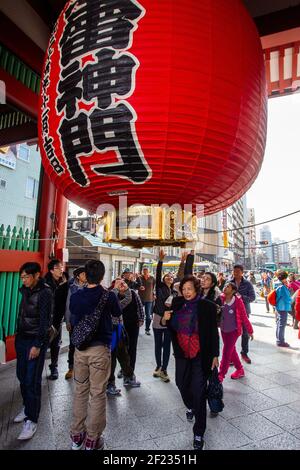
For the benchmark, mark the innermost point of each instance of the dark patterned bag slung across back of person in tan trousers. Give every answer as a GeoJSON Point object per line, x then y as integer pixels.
{"type": "Point", "coordinates": [86, 328]}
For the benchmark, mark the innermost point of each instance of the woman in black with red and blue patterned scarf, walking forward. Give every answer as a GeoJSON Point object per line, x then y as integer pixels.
{"type": "Point", "coordinates": [192, 323]}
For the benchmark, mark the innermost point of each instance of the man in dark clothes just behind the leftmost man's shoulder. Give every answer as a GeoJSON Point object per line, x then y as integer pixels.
{"type": "Point", "coordinates": [54, 278]}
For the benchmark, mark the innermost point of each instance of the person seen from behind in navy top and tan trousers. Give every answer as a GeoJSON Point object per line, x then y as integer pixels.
{"type": "Point", "coordinates": [92, 309]}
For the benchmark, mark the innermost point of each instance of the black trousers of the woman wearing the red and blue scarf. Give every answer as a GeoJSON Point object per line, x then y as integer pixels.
{"type": "Point", "coordinates": [192, 385]}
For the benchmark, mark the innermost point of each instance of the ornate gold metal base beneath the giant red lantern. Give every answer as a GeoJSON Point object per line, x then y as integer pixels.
{"type": "Point", "coordinates": [146, 226]}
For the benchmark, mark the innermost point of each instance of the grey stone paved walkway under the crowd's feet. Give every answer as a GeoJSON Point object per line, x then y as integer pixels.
{"type": "Point", "coordinates": [262, 410]}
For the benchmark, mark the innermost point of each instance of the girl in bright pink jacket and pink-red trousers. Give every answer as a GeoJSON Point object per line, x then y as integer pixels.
{"type": "Point", "coordinates": [234, 316]}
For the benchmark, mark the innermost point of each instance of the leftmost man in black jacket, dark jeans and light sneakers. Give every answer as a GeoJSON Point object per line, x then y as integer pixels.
{"type": "Point", "coordinates": [34, 320]}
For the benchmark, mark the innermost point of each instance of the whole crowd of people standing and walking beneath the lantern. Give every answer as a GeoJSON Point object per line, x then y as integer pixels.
{"type": "Point", "coordinates": [187, 312]}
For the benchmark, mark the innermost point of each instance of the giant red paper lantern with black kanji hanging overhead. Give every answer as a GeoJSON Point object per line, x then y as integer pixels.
{"type": "Point", "coordinates": [164, 101]}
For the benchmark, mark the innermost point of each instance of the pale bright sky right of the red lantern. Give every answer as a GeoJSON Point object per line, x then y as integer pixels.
{"type": "Point", "coordinates": [276, 190]}
